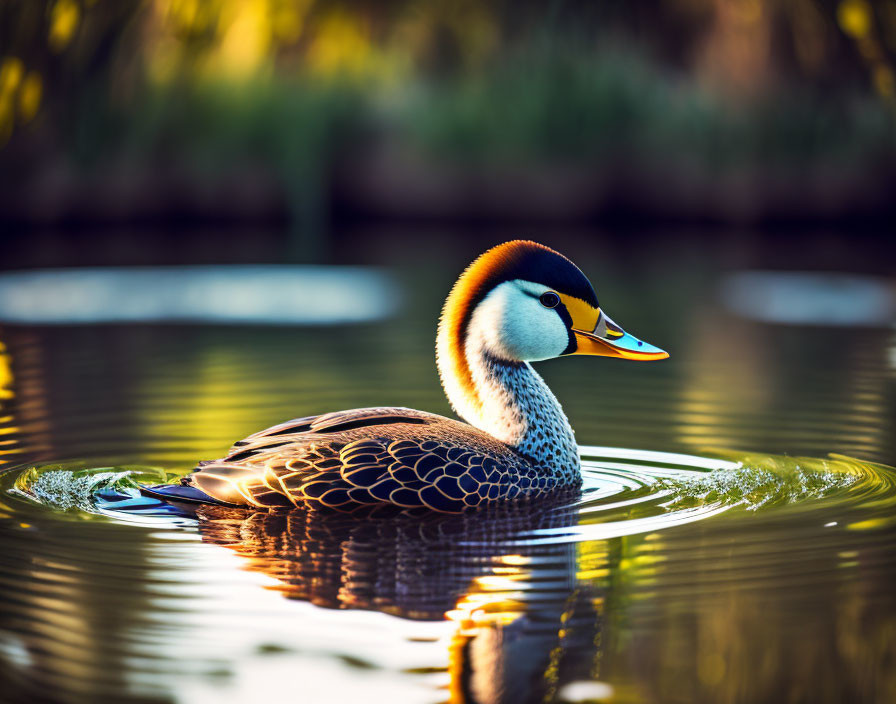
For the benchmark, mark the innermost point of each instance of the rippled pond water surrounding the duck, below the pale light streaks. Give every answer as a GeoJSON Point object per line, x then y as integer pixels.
{"type": "Point", "coordinates": [719, 552]}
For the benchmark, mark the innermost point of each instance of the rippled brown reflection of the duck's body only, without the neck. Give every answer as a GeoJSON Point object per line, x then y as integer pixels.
{"type": "Point", "coordinates": [414, 566]}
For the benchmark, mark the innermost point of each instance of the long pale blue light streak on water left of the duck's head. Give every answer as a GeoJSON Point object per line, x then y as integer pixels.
{"type": "Point", "coordinates": [269, 294]}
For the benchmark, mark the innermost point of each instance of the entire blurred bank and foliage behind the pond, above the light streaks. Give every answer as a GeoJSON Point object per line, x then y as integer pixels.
{"type": "Point", "coordinates": [177, 131]}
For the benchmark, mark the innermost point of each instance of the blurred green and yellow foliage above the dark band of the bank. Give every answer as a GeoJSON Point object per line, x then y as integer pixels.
{"type": "Point", "coordinates": [227, 87]}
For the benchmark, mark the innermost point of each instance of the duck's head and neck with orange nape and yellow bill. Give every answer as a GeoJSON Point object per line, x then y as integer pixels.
{"type": "Point", "coordinates": [521, 302]}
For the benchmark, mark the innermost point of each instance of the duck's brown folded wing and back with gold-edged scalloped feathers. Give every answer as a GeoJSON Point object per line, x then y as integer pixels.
{"type": "Point", "coordinates": [367, 456]}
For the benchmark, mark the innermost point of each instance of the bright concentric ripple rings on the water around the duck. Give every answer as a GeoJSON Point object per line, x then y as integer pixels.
{"type": "Point", "coordinates": [625, 492]}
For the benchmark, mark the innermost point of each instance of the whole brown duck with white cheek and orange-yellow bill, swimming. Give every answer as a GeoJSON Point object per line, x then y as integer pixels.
{"type": "Point", "coordinates": [518, 303]}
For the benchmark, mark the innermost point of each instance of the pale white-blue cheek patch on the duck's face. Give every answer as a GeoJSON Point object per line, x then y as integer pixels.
{"type": "Point", "coordinates": [512, 324]}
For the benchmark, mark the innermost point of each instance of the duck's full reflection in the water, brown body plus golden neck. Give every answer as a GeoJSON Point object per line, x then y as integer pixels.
{"type": "Point", "coordinates": [525, 624]}
